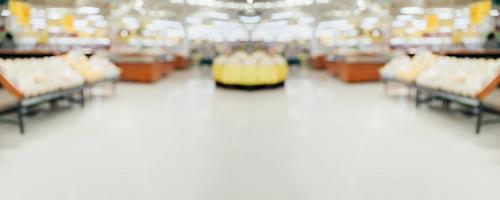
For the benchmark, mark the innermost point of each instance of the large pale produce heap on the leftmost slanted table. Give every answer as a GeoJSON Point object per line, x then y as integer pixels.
{"type": "Point", "coordinates": [33, 77]}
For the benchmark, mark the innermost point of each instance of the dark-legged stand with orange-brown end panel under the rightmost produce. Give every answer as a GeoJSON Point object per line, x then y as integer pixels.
{"type": "Point", "coordinates": [428, 95]}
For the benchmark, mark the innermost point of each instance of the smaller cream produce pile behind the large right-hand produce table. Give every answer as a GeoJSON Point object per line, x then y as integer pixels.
{"type": "Point", "coordinates": [406, 69]}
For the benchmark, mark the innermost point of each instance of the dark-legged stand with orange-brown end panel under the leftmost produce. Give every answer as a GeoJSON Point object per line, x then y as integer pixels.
{"type": "Point", "coordinates": [74, 95]}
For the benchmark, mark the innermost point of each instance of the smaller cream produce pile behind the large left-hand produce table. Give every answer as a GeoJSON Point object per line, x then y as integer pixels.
{"type": "Point", "coordinates": [95, 69]}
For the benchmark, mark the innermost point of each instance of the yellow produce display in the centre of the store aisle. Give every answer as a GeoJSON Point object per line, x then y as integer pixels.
{"type": "Point", "coordinates": [256, 69]}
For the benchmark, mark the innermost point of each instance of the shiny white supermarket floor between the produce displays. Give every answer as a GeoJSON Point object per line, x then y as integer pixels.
{"type": "Point", "coordinates": [183, 139]}
